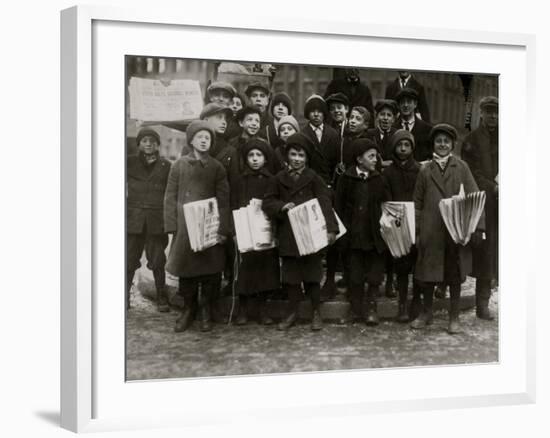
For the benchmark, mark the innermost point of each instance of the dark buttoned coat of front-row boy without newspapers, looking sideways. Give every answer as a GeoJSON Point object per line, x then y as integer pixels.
{"type": "Point", "coordinates": [359, 206]}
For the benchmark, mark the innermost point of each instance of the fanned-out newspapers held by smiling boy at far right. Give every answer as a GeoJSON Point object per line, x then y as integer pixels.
{"type": "Point", "coordinates": [461, 214]}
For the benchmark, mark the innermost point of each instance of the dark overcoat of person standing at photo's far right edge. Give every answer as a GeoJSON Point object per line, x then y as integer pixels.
{"type": "Point", "coordinates": [482, 156]}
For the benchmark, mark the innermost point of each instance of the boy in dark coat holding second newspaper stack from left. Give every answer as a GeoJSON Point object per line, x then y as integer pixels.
{"type": "Point", "coordinates": [258, 272]}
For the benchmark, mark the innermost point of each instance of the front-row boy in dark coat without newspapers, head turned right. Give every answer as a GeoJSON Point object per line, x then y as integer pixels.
{"type": "Point", "coordinates": [359, 196]}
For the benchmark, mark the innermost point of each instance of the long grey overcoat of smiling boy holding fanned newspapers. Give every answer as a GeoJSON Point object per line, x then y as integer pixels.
{"type": "Point", "coordinates": [431, 187]}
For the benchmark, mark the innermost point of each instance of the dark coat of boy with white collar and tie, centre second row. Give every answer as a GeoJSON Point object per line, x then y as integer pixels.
{"type": "Point", "coordinates": [324, 154]}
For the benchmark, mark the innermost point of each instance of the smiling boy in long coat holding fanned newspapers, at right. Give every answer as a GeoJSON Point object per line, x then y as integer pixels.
{"type": "Point", "coordinates": [440, 259]}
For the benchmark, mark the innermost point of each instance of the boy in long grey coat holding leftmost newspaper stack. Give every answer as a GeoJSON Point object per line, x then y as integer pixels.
{"type": "Point", "coordinates": [195, 177]}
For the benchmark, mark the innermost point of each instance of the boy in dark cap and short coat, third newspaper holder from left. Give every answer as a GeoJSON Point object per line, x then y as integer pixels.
{"type": "Point", "coordinates": [291, 187]}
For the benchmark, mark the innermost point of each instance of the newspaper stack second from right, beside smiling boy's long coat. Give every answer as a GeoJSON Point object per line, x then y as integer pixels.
{"type": "Point", "coordinates": [397, 227]}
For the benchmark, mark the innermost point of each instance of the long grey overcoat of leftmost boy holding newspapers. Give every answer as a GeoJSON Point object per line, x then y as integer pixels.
{"type": "Point", "coordinates": [192, 180]}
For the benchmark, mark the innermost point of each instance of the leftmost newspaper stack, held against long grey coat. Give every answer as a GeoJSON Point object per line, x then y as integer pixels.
{"type": "Point", "coordinates": [203, 223]}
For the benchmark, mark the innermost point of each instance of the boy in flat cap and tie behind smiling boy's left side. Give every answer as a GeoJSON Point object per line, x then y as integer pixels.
{"type": "Point", "coordinates": [407, 100]}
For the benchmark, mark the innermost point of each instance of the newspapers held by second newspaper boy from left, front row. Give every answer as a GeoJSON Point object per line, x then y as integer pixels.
{"type": "Point", "coordinates": [252, 228]}
